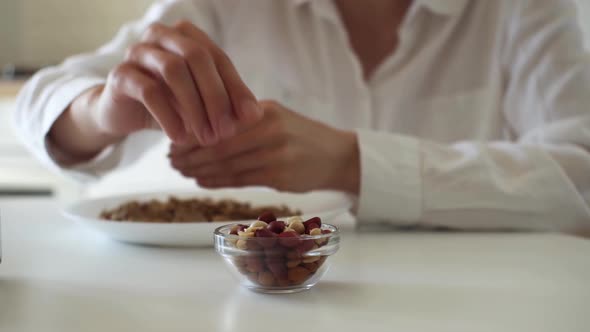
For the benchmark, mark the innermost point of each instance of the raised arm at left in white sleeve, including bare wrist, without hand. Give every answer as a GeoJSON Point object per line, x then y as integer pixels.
{"type": "Point", "coordinates": [56, 131]}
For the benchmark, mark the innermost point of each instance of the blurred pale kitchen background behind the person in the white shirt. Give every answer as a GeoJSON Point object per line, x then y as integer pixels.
{"type": "Point", "coordinates": [37, 33]}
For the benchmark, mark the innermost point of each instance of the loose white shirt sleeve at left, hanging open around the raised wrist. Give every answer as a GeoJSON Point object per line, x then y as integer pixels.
{"type": "Point", "coordinates": [49, 92]}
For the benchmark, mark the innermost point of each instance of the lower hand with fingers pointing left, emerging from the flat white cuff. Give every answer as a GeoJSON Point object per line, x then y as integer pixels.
{"type": "Point", "coordinates": [284, 150]}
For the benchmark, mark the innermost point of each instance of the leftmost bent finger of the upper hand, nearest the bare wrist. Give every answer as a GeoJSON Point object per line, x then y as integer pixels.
{"type": "Point", "coordinates": [131, 81]}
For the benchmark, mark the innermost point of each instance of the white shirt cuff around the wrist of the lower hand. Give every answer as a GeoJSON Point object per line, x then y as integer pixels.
{"type": "Point", "coordinates": [391, 183]}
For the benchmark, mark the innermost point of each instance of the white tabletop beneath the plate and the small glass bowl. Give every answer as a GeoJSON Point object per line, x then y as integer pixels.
{"type": "Point", "coordinates": [57, 276]}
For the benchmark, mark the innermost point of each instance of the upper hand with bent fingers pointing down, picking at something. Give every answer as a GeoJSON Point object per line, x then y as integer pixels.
{"type": "Point", "coordinates": [178, 80]}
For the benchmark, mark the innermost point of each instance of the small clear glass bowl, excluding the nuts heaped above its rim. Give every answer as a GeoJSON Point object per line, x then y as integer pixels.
{"type": "Point", "coordinates": [274, 264]}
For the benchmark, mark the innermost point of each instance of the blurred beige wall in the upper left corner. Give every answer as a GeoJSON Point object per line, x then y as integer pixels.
{"type": "Point", "coordinates": [42, 32]}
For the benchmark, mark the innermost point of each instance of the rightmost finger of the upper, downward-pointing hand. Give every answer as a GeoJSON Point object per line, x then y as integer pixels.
{"type": "Point", "coordinates": [243, 101]}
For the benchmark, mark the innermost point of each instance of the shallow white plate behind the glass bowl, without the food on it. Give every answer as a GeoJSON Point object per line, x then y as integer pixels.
{"type": "Point", "coordinates": [326, 205]}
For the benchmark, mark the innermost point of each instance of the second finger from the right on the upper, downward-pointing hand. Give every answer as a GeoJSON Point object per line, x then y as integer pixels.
{"type": "Point", "coordinates": [204, 73]}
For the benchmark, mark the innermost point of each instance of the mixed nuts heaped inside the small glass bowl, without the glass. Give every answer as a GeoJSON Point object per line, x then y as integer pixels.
{"type": "Point", "coordinates": [279, 250]}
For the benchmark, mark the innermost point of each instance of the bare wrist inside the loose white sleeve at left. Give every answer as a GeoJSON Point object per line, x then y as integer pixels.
{"type": "Point", "coordinates": [76, 134]}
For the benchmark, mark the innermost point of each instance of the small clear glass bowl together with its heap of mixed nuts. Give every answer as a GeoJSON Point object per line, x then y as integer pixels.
{"type": "Point", "coordinates": [275, 256]}
